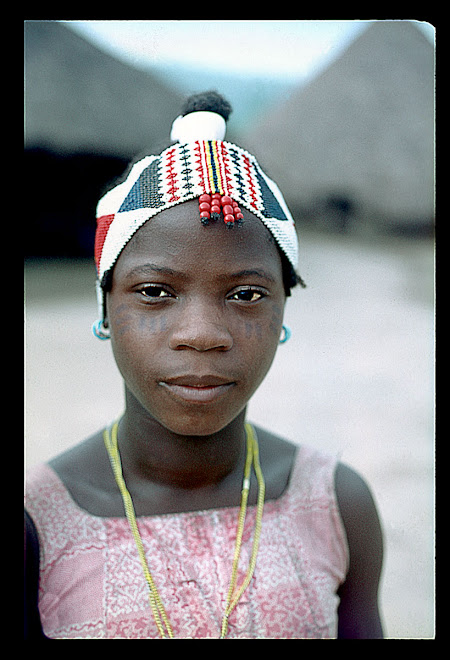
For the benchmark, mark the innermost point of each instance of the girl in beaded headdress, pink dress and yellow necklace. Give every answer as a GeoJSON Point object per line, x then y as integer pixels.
{"type": "Point", "coordinates": [182, 520]}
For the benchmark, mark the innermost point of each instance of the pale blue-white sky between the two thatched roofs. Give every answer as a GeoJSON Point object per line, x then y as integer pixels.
{"type": "Point", "coordinates": [290, 49]}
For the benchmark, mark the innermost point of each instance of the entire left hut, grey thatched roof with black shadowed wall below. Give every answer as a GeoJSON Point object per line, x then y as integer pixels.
{"type": "Point", "coordinates": [86, 115]}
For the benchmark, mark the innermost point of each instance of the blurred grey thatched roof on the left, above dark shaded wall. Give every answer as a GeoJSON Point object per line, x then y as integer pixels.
{"type": "Point", "coordinates": [79, 98]}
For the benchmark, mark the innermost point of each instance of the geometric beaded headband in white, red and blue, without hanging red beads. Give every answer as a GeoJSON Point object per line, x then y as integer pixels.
{"type": "Point", "coordinates": [182, 172]}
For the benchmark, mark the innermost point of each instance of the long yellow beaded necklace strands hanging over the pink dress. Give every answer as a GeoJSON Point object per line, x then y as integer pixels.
{"type": "Point", "coordinates": [159, 613]}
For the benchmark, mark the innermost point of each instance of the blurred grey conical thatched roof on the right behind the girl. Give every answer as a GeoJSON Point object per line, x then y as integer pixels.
{"type": "Point", "coordinates": [363, 130]}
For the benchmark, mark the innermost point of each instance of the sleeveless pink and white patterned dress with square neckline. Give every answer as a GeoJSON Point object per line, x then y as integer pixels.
{"type": "Point", "coordinates": [92, 584]}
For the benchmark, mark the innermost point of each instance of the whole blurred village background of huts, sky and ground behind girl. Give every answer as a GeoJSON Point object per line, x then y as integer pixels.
{"type": "Point", "coordinates": [341, 115]}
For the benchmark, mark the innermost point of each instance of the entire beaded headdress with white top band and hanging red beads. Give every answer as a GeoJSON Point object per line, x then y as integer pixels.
{"type": "Point", "coordinates": [223, 176]}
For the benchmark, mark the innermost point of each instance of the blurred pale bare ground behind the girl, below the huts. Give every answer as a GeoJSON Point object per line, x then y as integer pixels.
{"type": "Point", "coordinates": [356, 379]}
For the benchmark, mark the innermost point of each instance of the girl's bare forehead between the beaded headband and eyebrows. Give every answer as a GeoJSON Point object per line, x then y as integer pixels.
{"type": "Point", "coordinates": [177, 237]}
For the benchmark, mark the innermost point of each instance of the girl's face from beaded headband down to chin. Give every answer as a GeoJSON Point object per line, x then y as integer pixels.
{"type": "Point", "coordinates": [195, 315]}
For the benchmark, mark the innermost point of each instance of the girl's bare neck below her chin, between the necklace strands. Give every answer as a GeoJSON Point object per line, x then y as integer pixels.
{"type": "Point", "coordinates": [150, 452]}
